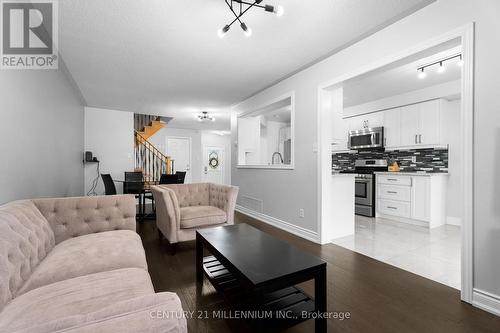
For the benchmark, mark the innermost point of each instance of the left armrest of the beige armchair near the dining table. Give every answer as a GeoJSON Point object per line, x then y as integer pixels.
{"type": "Point", "coordinates": [168, 215]}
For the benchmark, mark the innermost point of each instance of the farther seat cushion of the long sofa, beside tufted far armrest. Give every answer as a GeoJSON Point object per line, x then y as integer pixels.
{"type": "Point", "coordinates": [89, 254]}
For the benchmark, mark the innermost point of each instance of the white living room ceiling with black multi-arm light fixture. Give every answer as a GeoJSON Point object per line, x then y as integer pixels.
{"type": "Point", "coordinates": [164, 57]}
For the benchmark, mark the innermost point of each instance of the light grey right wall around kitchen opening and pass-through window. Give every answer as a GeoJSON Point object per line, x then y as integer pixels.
{"type": "Point", "coordinates": [283, 192]}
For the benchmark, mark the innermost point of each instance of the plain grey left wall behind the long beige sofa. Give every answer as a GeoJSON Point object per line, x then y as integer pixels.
{"type": "Point", "coordinates": [41, 135]}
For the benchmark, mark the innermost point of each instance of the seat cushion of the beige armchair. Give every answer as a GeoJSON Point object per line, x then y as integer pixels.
{"type": "Point", "coordinates": [197, 216]}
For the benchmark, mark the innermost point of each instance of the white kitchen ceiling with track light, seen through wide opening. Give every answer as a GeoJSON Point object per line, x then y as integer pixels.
{"type": "Point", "coordinates": [402, 76]}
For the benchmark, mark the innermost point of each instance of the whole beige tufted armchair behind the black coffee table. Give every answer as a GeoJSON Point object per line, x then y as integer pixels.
{"type": "Point", "coordinates": [183, 208]}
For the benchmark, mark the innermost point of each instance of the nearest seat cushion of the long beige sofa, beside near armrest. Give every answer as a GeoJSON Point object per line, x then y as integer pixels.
{"type": "Point", "coordinates": [77, 296]}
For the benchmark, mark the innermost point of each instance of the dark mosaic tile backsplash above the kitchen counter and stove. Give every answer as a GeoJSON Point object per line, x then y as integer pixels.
{"type": "Point", "coordinates": [430, 160]}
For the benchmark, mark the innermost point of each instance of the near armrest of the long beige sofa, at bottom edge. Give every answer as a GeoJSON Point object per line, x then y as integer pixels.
{"type": "Point", "coordinates": [160, 312]}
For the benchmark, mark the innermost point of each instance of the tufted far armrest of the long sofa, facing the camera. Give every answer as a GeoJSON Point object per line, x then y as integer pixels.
{"type": "Point", "coordinates": [73, 217]}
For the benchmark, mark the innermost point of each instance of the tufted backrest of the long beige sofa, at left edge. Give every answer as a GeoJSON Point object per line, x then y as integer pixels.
{"type": "Point", "coordinates": [25, 239]}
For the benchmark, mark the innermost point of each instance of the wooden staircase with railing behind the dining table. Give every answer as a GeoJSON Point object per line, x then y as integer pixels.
{"type": "Point", "coordinates": [148, 159]}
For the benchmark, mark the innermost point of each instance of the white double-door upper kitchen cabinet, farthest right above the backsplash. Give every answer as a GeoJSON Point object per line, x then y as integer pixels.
{"type": "Point", "coordinates": [420, 124]}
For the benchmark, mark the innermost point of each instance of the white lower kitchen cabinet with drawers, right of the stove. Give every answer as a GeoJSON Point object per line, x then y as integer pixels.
{"type": "Point", "coordinates": [419, 199]}
